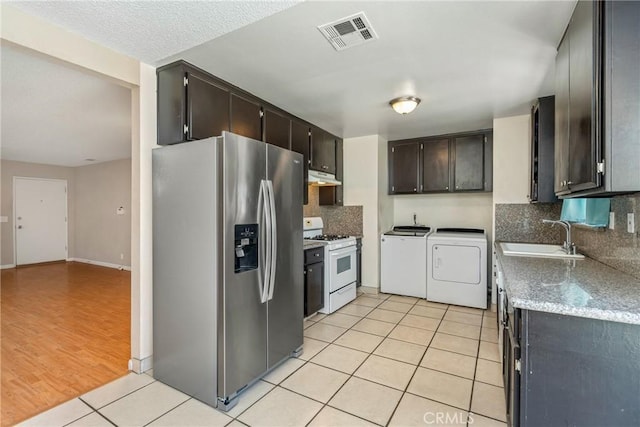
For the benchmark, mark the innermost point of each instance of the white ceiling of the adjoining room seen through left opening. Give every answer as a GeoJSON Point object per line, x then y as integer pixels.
{"type": "Point", "coordinates": [58, 115]}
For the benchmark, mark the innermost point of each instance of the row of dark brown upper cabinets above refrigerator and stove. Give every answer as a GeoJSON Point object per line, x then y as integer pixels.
{"type": "Point", "coordinates": [193, 104]}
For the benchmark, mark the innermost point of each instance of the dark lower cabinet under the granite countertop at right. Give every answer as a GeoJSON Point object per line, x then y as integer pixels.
{"type": "Point", "coordinates": [571, 371]}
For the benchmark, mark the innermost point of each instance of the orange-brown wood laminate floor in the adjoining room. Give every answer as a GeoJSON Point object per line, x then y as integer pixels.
{"type": "Point", "coordinates": [65, 331]}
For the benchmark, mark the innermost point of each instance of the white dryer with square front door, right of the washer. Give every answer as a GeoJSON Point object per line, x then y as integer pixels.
{"type": "Point", "coordinates": [457, 267]}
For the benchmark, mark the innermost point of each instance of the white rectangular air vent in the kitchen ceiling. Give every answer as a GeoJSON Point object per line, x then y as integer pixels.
{"type": "Point", "coordinates": [348, 32]}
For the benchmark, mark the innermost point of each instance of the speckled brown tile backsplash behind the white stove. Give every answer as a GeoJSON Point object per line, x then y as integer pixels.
{"type": "Point", "coordinates": [337, 219]}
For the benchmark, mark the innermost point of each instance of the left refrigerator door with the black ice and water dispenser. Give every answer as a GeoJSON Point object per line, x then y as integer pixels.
{"type": "Point", "coordinates": [242, 339]}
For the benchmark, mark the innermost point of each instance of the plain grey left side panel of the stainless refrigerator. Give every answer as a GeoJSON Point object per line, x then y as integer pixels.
{"type": "Point", "coordinates": [185, 267]}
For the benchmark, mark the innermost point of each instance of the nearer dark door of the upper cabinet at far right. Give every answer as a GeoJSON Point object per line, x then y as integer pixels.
{"type": "Point", "coordinates": [583, 62]}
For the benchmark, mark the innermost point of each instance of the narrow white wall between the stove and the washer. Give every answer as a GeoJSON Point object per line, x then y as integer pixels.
{"type": "Point", "coordinates": [362, 159]}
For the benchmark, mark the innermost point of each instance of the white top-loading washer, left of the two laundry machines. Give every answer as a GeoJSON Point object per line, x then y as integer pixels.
{"type": "Point", "coordinates": [403, 265]}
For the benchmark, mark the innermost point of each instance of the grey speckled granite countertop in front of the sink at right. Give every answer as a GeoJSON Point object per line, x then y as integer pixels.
{"type": "Point", "coordinates": [582, 288]}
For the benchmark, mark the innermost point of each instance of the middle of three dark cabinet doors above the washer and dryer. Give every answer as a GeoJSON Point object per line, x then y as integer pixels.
{"type": "Point", "coordinates": [435, 165]}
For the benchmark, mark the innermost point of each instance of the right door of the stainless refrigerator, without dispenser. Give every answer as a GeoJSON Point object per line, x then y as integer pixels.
{"type": "Point", "coordinates": [286, 306]}
